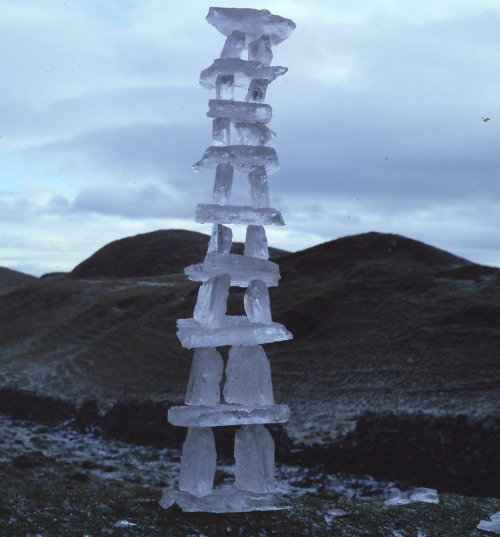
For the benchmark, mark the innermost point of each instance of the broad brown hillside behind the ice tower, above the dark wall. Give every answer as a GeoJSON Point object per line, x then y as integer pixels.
{"type": "Point", "coordinates": [380, 322]}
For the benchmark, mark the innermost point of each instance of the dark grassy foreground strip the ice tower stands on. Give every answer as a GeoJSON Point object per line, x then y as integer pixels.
{"type": "Point", "coordinates": [137, 512]}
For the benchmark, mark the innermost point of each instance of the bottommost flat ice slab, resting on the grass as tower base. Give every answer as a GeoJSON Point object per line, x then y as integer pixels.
{"type": "Point", "coordinates": [230, 500]}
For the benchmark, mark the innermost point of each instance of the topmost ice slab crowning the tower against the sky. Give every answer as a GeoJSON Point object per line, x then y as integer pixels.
{"type": "Point", "coordinates": [252, 22]}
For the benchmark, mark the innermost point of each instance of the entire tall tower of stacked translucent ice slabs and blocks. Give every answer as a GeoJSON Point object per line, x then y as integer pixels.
{"type": "Point", "coordinates": [247, 395]}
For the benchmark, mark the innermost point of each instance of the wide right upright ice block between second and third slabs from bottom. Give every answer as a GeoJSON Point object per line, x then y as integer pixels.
{"type": "Point", "coordinates": [248, 377]}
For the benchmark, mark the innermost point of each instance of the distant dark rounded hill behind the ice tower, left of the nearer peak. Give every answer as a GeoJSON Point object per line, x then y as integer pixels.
{"type": "Point", "coordinates": [149, 254]}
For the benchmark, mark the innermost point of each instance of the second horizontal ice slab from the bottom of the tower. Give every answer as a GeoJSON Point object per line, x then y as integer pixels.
{"type": "Point", "coordinates": [222, 415]}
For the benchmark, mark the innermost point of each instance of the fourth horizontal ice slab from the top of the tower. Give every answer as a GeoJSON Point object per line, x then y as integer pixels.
{"type": "Point", "coordinates": [244, 158]}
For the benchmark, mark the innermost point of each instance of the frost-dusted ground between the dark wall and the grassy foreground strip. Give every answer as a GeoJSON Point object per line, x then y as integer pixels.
{"type": "Point", "coordinates": [34, 455]}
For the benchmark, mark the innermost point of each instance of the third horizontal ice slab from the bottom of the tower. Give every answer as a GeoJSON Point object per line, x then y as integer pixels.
{"type": "Point", "coordinates": [234, 330]}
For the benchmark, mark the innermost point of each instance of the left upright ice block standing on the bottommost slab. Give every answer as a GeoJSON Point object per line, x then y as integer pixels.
{"type": "Point", "coordinates": [198, 462]}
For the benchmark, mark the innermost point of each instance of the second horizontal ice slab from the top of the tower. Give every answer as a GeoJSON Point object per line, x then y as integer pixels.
{"type": "Point", "coordinates": [244, 71]}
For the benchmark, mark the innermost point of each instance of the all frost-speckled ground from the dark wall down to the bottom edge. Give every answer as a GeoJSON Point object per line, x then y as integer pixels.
{"type": "Point", "coordinates": [55, 481]}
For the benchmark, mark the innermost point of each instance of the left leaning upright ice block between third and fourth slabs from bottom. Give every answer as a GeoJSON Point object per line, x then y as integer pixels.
{"type": "Point", "coordinates": [212, 302]}
